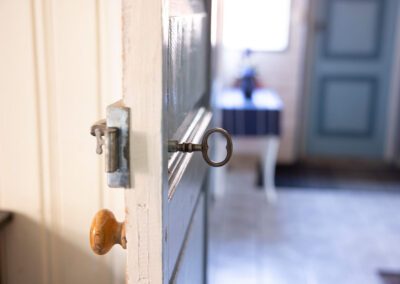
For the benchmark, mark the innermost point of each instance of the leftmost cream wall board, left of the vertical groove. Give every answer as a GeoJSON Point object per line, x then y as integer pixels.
{"type": "Point", "coordinates": [20, 183]}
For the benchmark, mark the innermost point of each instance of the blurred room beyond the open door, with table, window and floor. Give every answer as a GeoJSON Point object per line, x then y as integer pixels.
{"type": "Point", "coordinates": [310, 92]}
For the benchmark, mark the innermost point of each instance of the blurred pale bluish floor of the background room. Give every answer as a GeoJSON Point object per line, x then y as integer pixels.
{"type": "Point", "coordinates": [309, 236]}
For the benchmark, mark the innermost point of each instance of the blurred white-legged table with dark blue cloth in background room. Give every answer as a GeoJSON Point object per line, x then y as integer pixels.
{"type": "Point", "coordinates": [247, 119]}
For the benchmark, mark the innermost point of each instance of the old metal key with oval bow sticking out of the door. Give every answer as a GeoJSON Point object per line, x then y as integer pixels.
{"type": "Point", "coordinates": [175, 146]}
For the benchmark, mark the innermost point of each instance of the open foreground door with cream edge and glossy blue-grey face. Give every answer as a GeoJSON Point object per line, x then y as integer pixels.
{"type": "Point", "coordinates": [165, 70]}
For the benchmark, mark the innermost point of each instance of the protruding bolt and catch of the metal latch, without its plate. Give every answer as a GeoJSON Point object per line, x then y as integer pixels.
{"type": "Point", "coordinates": [106, 136]}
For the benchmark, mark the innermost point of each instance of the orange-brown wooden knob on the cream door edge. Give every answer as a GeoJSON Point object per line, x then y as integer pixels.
{"type": "Point", "coordinates": [105, 232]}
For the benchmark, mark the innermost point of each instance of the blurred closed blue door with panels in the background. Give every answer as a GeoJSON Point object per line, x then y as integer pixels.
{"type": "Point", "coordinates": [350, 82]}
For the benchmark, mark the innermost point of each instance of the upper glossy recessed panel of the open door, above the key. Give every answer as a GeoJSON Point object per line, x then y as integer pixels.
{"type": "Point", "coordinates": [187, 81]}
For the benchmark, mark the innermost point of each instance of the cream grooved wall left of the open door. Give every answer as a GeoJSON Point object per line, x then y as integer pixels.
{"type": "Point", "coordinates": [60, 66]}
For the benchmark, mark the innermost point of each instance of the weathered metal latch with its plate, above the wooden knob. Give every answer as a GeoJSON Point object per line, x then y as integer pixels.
{"type": "Point", "coordinates": [113, 134]}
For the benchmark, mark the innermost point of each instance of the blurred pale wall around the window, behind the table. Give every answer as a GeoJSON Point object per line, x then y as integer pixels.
{"type": "Point", "coordinates": [282, 71]}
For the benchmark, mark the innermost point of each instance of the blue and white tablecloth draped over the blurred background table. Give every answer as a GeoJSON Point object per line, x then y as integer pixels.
{"type": "Point", "coordinates": [258, 116]}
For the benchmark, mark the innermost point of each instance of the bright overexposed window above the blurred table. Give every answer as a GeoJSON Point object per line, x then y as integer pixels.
{"type": "Point", "coordinates": [261, 25]}
